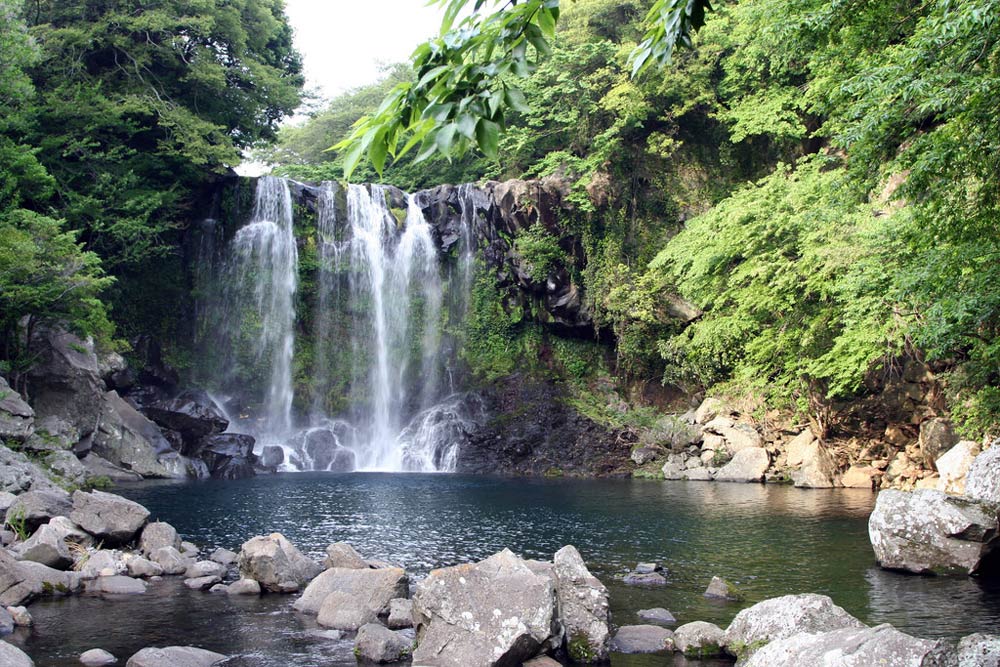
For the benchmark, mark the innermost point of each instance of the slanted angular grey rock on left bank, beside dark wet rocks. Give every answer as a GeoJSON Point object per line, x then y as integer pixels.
{"type": "Point", "coordinates": [127, 440]}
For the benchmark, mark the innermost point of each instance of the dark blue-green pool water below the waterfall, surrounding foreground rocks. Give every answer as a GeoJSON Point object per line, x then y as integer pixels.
{"type": "Point", "coordinates": [769, 540]}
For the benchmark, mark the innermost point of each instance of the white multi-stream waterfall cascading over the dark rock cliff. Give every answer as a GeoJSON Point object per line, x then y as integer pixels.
{"type": "Point", "coordinates": [381, 367]}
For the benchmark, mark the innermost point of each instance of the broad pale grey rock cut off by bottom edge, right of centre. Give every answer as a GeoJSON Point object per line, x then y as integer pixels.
{"type": "Point", "coordinates": [845, 647]}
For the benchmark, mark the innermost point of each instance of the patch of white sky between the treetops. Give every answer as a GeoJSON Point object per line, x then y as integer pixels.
{"type": "Point", "coordinates": [343, 42]}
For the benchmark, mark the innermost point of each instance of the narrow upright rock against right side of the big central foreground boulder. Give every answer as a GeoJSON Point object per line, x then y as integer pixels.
{"type": "Point", "coordinates": [583, 607]}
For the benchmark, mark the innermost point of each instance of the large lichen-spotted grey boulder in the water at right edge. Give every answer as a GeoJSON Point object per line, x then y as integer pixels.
{"type": "Point", "coordinates": [927, 531]}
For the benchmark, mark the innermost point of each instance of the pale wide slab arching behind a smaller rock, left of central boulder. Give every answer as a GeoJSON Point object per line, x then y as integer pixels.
{"type": "Point", "coordinates": [376, 587]}
